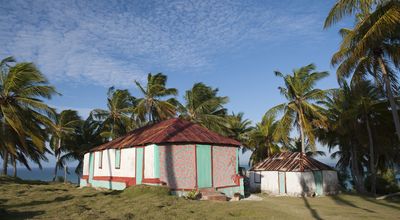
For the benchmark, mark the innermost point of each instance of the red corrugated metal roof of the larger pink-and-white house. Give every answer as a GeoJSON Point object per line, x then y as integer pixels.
{"type": "Point", "coordinates": [169, 132]}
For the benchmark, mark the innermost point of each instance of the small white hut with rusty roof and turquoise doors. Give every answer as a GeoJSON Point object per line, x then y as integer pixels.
{"type": "Point", "coordinates": [293, 174]}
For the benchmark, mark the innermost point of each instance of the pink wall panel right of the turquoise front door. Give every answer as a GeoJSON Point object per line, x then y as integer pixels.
{"type": "Point", "coordinates": [224, 166]}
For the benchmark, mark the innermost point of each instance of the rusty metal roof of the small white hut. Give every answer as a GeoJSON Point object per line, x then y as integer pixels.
{"type": "Point", "coordinates": [290, 161]}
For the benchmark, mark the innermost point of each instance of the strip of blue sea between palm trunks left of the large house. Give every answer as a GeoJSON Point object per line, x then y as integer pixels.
{"type": "Point", "coordinates": [44, 174]}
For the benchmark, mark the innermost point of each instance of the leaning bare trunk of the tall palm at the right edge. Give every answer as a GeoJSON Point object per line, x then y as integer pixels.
{"type": "Point", "coordinates": [392, 102]}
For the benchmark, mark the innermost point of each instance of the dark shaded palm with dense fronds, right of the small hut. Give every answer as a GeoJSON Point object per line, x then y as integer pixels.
{"type": "Point", "coordinates": [355, 113]}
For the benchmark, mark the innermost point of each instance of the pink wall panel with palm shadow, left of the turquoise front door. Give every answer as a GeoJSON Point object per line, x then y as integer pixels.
{"type": "Point", "coordinates": [177, 166]}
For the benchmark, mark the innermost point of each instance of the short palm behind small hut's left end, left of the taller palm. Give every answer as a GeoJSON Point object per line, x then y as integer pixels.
{"type": "Point", "coordinates": [262, 139]}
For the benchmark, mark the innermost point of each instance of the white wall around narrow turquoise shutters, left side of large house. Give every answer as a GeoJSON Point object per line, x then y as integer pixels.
{"type": "Point", "coordinates": [127, 167]}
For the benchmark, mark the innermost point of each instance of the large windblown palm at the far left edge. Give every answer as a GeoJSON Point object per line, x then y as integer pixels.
{"type": "Point", "coordinates": [22, 88]}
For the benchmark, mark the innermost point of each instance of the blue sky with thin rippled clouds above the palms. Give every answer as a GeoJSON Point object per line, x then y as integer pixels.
{"type": "Point", "coordinates": [84, 47]}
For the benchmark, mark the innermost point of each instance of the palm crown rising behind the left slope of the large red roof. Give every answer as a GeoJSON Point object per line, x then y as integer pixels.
{"type": "Point", "coordinates": [117, 119]}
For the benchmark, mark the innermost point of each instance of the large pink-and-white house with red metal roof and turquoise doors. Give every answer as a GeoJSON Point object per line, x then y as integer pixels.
{"type": "Point", "coordinates": [175, 153]}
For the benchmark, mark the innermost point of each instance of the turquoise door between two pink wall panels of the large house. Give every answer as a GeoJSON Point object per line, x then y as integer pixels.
{"type": "Point", "coordinates": [204, 179]}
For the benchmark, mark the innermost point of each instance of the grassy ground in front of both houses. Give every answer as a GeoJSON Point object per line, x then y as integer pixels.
{"type": "Point", "coordinates": [38, 200]}
